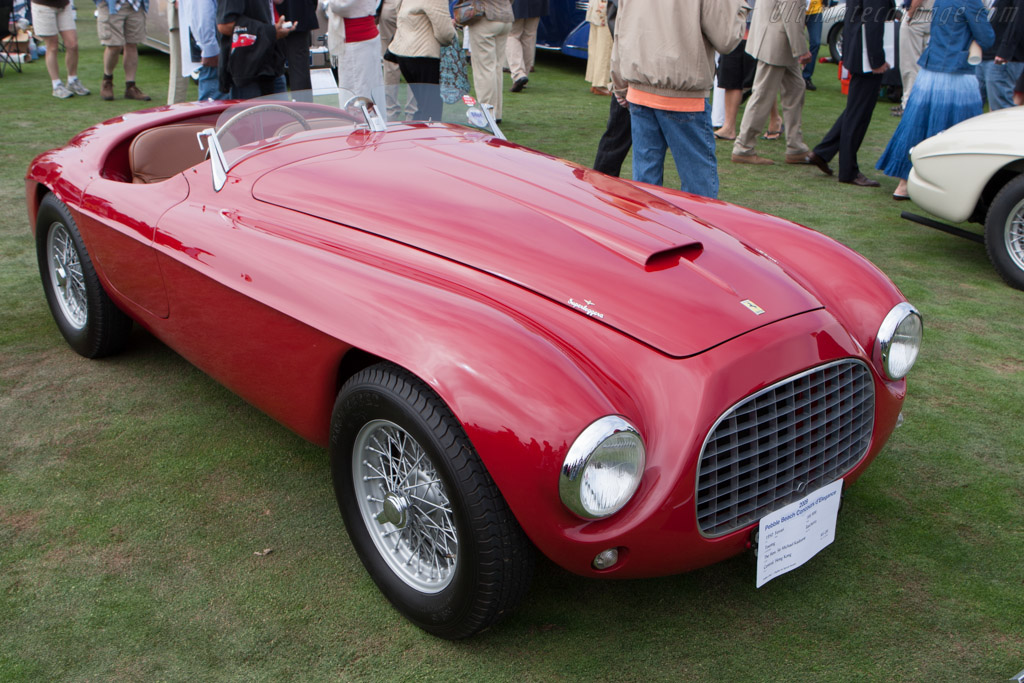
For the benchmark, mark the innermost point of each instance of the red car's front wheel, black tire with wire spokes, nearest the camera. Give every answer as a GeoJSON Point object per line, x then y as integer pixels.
{"type": "Point", "coordinates": [484, 561]}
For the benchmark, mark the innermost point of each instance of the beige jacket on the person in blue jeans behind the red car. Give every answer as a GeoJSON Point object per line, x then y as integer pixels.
{"type": "Point", "coordinates": [667, 48]}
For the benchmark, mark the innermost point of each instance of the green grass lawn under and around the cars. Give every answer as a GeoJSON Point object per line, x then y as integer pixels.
{"type": "Point", "coordinates": [135, 492]}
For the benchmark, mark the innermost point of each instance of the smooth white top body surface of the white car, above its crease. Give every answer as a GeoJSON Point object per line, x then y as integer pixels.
{"type": "Point", "coordinates": [994, 134]}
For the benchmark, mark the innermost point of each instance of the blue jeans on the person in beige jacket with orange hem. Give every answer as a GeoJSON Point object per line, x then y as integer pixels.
{"type": "Point", "coordinates": [690, 137]}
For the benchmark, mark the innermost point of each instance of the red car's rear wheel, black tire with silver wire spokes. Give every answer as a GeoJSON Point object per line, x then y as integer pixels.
{"type": "Point", "coordinates": [87, 317]}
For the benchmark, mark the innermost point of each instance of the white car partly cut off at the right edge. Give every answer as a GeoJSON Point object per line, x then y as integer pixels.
{"type": "Point", "coordinates": [975, 172]}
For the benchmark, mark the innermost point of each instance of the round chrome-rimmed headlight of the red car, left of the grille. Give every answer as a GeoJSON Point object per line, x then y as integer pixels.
{"type": "Point", "coordinates": [603, 469]}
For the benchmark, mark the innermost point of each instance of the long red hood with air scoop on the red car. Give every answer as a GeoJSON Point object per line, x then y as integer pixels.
{"type": "Point", "coordinates": [598, 245]}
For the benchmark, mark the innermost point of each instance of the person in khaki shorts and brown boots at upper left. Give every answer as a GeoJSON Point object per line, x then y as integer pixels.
{"type": "Point", "coordinates": [121, 25]}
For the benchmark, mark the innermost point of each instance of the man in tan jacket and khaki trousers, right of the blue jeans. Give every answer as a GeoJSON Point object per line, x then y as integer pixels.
{"type": "Point", "coordinates": [779, 44]}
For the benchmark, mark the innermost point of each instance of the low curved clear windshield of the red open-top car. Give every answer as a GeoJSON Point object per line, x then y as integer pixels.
{"type": "Point", "coordinates": [253, 124]}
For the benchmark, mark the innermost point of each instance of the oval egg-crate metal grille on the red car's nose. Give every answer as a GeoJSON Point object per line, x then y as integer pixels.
{"type": "Point", "coordinates": [783, 443]}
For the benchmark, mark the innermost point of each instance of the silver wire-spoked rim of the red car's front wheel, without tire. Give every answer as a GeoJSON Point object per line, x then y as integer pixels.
{"type": "Point", "coordinates": [405, 506]}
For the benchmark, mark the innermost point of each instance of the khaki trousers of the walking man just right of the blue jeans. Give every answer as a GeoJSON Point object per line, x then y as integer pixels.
{"type": "Point", "coordinates": [769, 81]}
